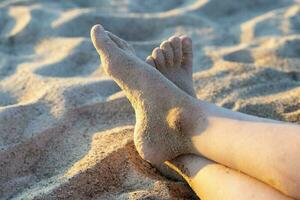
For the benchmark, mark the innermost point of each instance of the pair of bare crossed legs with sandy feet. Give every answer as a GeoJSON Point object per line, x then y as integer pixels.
{"type": "Point", "coordinates": [172, 126]}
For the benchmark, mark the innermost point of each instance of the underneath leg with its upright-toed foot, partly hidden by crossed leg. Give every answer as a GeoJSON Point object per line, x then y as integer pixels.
{"type": "Point", "coordinates": [208, 179]}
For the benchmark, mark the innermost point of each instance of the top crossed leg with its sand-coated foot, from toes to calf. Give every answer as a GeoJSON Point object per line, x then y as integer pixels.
{"type": "Point", "coordinates": [180, 124]}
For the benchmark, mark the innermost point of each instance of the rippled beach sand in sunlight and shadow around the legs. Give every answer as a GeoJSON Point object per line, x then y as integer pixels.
{"type": "Point", "coordinates": [66, 129]}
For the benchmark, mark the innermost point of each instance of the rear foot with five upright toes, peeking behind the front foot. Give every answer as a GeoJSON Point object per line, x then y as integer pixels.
{"type": "Point", "coordinates": [174, 59]}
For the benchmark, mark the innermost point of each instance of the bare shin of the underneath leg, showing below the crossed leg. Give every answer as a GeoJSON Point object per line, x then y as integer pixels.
{"type": "Point", "coordinates": [212, 181]}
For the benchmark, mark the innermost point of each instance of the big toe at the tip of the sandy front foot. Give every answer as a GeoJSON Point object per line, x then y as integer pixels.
{"type": "Point", "coordinates": [102, 42]}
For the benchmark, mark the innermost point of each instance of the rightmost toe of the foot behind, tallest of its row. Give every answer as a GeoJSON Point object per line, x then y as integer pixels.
{"type": "Point", "coordinates": [187, 51]}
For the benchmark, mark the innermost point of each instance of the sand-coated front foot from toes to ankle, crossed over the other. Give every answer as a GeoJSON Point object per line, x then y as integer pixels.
{"type": "Point", "coordinates": [163, 111]}
